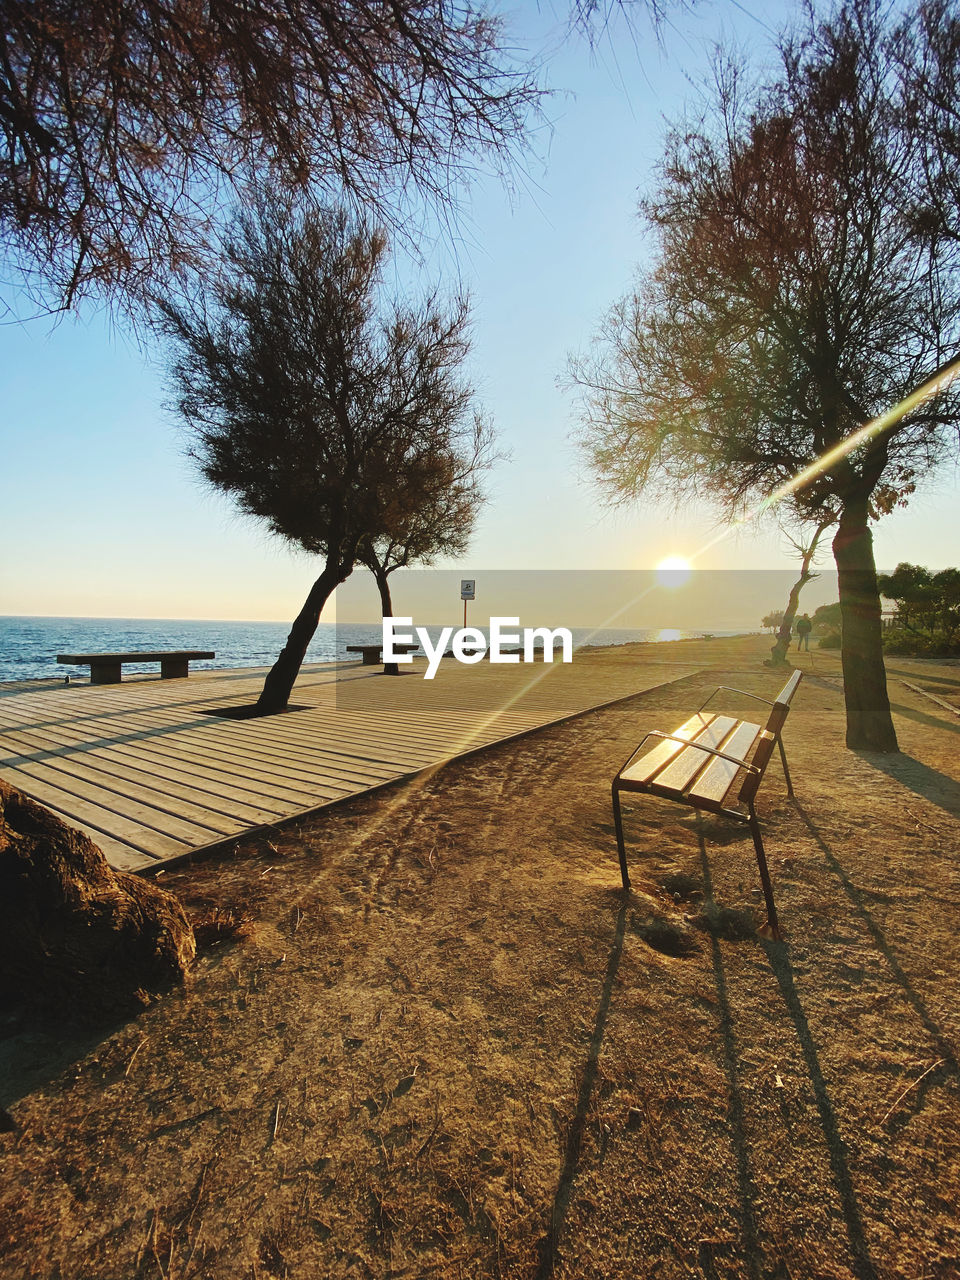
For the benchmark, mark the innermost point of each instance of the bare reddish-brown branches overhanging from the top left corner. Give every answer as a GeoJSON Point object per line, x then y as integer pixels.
{"type": "Point", "coordinates": [124, 126]}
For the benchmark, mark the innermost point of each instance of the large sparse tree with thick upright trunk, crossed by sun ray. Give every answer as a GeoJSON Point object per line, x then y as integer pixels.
{"type": "Point", "coordinates": [796, 298]}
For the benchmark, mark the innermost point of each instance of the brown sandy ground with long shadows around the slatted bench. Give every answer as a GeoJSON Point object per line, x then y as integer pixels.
{"type": "Point", "coordinates": [442, 1044]}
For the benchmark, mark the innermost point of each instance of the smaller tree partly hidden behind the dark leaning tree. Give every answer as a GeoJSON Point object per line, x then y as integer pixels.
{"type": "Point", "coordinates": [429, 511]}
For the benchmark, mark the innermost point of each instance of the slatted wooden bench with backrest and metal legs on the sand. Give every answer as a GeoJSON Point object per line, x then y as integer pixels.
{"type": "Point", "coordinates": [715, 764]}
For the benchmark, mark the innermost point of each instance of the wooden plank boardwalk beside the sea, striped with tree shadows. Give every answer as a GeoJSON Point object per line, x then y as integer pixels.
{"type": "Point", "coordinates": [152, 775]}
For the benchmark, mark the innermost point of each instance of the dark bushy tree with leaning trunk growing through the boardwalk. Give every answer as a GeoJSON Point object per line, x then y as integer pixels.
{"type": "Point", "coordinates": [321, 410]}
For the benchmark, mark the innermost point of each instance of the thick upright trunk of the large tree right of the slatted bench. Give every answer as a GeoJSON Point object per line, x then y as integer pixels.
{"type": "Point", "coordinates": [870, 726]}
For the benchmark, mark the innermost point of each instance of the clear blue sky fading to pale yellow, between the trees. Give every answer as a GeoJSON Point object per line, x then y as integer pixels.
{"type": "Point", "coordinates": [102, 514]}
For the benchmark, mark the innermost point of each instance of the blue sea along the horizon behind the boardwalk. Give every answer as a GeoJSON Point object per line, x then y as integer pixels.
{"type": "Point", "coordinates": [29, 646]}
